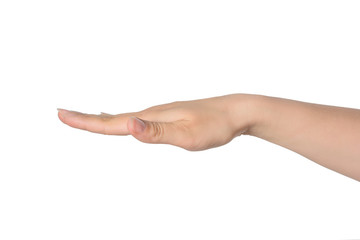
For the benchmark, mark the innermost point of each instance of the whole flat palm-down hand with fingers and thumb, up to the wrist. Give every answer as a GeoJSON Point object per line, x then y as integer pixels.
{"type": "Point", "coordinates": [192, 125]}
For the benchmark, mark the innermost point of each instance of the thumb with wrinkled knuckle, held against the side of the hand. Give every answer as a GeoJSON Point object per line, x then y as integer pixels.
{"type": "Point", "coordinates": [154, 132]}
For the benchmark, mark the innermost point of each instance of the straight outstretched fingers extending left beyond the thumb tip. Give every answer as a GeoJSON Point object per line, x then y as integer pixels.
{"type": "Point", "coordinates": [112, 125]}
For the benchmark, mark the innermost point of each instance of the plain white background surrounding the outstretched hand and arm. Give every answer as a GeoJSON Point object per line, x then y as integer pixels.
{"type": "Point", "coordinates": [57, 182]}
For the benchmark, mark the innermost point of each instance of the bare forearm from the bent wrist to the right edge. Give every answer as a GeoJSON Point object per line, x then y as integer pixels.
{"type": "Point", "coordinates": [327, 135]}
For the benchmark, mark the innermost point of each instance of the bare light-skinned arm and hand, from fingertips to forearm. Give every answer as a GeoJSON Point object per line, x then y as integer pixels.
{"type": "Point", "coordinates": [327, 135]}
